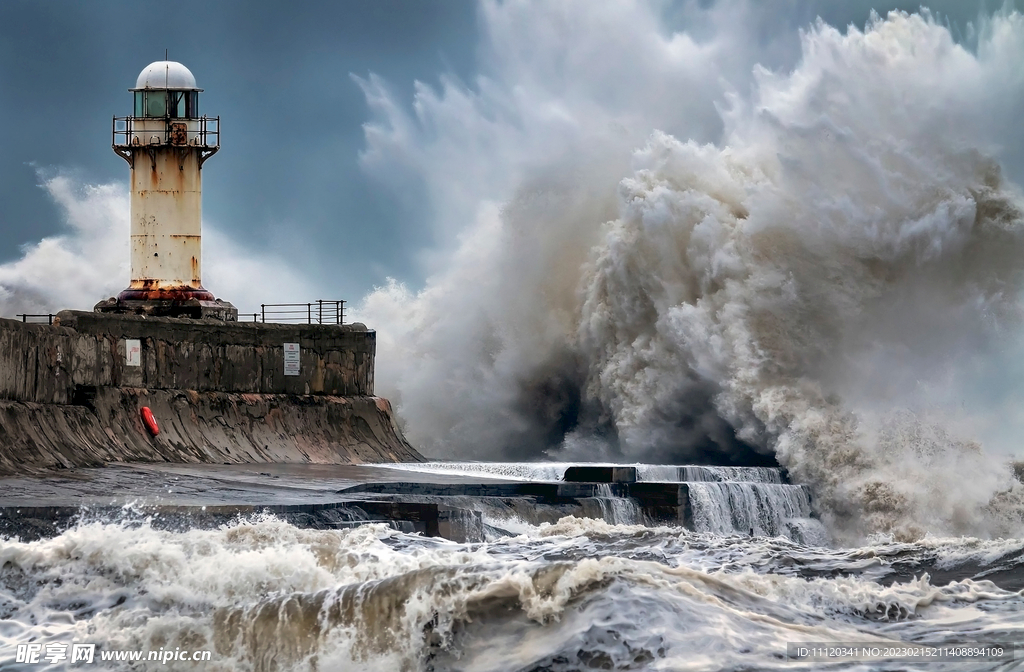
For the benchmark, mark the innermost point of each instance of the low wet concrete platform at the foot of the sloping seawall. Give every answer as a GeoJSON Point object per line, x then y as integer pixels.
{"type": "Point", "coordinates": [321, 496]}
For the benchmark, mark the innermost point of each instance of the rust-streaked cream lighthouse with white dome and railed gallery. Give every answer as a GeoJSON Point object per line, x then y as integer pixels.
{"type": "Point", "coordinates": [166, 144]}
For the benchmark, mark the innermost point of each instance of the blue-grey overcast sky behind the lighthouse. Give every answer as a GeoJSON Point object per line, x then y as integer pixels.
{"type": "Point", "coordinates": [280, 75]}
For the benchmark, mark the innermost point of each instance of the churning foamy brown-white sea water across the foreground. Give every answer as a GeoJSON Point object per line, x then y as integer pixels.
{"type": "Point", "coordinates": [579, 595]}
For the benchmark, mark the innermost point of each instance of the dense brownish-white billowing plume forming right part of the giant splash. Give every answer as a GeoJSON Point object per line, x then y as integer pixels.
{"type": "Point", "coordinates": [848, 250]}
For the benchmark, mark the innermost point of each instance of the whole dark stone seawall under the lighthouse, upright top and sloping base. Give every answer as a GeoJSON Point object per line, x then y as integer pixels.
{"type": "Point", "coordinates": [71, 394]}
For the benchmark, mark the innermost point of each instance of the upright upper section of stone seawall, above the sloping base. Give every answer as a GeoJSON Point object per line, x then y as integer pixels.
{"type": "Point", "coordinates": [48, 364]}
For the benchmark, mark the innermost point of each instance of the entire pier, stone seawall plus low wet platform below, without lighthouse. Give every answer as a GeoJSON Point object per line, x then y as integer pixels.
{"type": "Point", "coordinates": [253, 418]}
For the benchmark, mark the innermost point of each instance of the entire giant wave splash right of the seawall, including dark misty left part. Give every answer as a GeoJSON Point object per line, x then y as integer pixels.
{"type": "Point", "coordinates": [831, 284]}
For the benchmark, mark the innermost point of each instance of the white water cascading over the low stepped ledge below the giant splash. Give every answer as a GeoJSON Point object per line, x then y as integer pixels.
{"type": "Point", "coordinates": [720, 500]}
